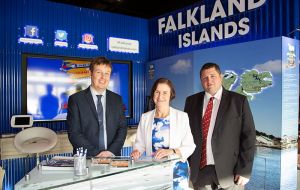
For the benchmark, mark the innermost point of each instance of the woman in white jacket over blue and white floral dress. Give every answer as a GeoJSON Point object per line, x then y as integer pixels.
{"type": "Point", "coordinates": [165, 131]}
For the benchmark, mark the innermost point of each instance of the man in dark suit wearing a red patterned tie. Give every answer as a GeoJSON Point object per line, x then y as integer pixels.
{"type": "Point", "coordinates": [223, 129]}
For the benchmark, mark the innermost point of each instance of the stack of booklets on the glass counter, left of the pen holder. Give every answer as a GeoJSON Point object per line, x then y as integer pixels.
{"type": "Point", "coordinates": [58, 163]}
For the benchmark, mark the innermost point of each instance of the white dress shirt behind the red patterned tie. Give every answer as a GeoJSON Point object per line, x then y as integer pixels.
{"type": "Point", "coordinates": [216, 104]}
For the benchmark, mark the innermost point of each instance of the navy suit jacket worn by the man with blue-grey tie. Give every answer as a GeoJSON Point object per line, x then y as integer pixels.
{"type": "Point", "coordinates": [83, 126]}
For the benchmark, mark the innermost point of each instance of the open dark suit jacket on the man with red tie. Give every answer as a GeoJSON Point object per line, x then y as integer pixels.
{"type": "Point", "coordinates": [233, 139]}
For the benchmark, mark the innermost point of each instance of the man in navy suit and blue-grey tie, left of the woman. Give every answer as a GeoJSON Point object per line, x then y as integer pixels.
{"type": "Point", "coordinates": [96, 119]}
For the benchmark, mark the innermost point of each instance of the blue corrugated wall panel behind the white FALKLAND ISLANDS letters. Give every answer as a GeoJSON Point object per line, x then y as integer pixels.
{"type": "Point", "coordinates": [274, 18]}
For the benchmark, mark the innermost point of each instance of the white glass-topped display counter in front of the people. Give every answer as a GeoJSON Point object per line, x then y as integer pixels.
{"type": "Point", "coordinates": [142, 174]}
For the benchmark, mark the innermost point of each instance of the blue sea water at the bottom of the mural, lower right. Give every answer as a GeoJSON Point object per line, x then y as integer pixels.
{"type": "Point", "coordinates": [274, 169]}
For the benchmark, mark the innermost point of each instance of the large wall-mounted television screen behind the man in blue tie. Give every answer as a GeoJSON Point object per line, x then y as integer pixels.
{"type": "Point", "coordinates": [48, 81]}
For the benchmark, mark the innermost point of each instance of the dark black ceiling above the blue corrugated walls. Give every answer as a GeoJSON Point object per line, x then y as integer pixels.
{"type": "Point", "coordinates": [137, 8]}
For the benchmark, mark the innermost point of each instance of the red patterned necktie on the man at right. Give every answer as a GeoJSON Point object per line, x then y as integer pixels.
{"type": "Point", "coordinates": [205, 127]}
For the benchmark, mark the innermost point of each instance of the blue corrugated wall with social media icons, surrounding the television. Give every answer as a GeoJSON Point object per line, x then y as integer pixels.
{"type": "Point", "coordinates": [48, 17]}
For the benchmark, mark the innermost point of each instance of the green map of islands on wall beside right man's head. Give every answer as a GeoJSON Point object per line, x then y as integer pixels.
{"type": "Point", "coordinates": [252, 82]}
